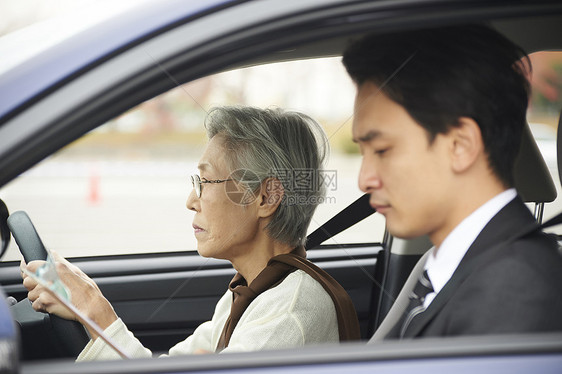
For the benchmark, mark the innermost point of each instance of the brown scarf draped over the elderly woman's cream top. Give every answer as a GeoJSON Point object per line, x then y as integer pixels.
{"type": "Point", "coordinates": [274, 273]}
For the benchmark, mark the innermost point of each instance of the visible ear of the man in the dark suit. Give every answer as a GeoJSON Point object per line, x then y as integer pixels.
{"type": "Point", "coordinates": [466, 144]}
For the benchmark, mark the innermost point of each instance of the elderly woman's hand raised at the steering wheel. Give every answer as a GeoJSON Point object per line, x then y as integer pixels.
{"type": "Point", "coordinates": [85, 294]}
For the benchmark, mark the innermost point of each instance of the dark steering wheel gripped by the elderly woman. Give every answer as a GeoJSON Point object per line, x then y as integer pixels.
{"type": "Point", "coordinates": [67, 338]}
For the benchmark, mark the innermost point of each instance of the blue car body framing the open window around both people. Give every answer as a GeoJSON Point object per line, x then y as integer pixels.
{"type": "Point", "coordinates": [67, 90]}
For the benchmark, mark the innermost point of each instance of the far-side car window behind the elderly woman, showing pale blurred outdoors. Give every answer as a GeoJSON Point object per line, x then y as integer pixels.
{"type": "Point", "coordinates": [122, 188]}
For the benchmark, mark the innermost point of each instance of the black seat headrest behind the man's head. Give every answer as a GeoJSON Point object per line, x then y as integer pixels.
{"type": "Point", "coordinates": [532, 178]}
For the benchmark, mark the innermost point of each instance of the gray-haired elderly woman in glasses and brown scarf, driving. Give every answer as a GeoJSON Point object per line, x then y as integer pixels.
{"type": "Point", "coordinates": [250, 211]}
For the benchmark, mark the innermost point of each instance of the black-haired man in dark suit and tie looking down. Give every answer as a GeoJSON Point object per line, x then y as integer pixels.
{"type": "Point", "coordinates": [438, 117]}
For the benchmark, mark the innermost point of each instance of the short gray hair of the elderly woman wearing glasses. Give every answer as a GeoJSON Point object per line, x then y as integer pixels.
{"type": "Point", "coordinates": [285, 145]}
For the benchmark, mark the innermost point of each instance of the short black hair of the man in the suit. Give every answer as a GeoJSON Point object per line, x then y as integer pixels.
{"type": "Point", "coordinates": [440, 75]}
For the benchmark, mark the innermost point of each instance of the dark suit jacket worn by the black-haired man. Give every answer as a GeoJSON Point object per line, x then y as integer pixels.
{"type": "Point", "coordinates": [499, 288]}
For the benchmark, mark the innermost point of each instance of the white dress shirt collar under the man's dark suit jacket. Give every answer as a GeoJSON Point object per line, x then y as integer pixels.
{"type": "Point", "coordinates": [442, 263]}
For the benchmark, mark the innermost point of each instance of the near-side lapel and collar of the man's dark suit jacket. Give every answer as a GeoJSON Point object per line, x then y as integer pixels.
{"type": "Point", "coordinates": [513, 218]}
